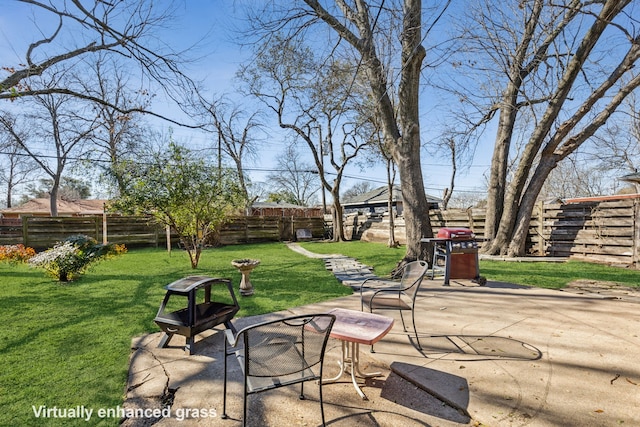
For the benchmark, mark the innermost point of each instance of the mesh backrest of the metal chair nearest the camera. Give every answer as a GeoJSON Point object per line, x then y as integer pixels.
{"type": "Point", "coordinates": [293, 346]}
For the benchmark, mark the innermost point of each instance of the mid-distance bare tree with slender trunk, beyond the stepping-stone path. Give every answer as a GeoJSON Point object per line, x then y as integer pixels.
{"type": "Point", "coordinates": [311, 102]}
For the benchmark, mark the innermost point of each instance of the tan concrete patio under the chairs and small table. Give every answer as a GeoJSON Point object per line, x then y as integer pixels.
{"type": "Point", "coordinates": [497, 355]}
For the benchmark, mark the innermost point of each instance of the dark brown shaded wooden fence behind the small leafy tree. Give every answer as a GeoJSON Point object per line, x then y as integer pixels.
{"type": "Point", "coordinates": [43, 232]}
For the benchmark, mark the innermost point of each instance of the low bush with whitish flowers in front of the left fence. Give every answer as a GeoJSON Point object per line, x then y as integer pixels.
{"type": "Point", "coordinates": [70, 258]}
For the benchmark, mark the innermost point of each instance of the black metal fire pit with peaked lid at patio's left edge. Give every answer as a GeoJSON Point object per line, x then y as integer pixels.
{"type": "Point", "coordinates": [194, 317]}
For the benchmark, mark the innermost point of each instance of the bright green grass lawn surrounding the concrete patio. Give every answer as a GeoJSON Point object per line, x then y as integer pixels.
{"type": "Point", "coordinates": [64, 345]}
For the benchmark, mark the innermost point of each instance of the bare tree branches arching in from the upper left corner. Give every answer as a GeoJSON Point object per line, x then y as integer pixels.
{"type": "Point", "coordinates": [121, 29]}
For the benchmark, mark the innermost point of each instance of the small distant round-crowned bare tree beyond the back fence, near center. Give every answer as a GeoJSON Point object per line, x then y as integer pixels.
{"type": "Point", "coordinates": [295, 177]}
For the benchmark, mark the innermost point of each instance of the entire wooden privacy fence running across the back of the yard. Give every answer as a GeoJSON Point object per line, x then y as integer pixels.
{"type": "Point", "coordinates": [605, 230]}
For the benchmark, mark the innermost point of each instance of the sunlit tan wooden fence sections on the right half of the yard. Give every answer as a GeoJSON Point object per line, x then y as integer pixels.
{"type": "Point", "coordinates": [603, 230]}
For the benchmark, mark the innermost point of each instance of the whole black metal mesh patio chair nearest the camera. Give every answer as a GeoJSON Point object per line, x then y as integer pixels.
{"type": "Point", "coordinates": [279, 353]}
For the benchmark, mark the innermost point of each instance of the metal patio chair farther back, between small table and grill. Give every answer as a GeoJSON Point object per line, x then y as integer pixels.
{"type": "Point", "coordinates": [381, 294]}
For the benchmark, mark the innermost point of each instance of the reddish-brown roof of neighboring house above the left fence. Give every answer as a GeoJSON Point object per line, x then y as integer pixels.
{"type": "Point", "coordinates": [41, 207]}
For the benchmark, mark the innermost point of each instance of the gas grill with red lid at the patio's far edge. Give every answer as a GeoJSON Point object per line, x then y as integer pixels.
{"type": "Point", "coordinates": [455, 254]}
